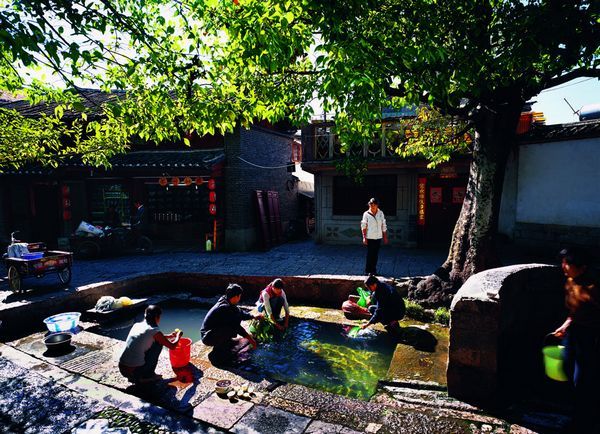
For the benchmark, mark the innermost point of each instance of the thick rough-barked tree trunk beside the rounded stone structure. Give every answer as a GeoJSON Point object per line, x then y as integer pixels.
{"type": "Point", "coordinates": [472, 248]}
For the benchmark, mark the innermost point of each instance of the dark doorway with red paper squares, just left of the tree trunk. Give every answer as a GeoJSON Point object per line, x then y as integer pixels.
{"type": "Point", "coordinates": [444, 198]}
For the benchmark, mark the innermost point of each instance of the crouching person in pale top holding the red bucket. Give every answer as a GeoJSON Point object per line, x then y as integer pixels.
{"type": "Point", "coordinates": [143, 346]}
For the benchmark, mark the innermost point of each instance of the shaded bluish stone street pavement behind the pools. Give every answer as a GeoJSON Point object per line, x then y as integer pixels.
{"type": "Point", "coordinates": [291, 259]}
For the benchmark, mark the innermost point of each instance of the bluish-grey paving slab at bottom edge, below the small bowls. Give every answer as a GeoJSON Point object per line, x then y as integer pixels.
{"type": "Point", "coordinates": [269, 420]}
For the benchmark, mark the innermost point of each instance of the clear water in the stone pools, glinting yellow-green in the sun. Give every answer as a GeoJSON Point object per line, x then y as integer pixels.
{"type": "Point", "coordinates": [315, 354]}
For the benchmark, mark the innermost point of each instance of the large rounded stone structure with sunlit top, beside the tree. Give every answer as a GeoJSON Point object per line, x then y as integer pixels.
{"type": "Point", "coordinates": [499, 319]}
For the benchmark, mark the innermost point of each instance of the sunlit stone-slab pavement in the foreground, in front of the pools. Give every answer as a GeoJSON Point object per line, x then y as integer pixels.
{"type": "Point", "coordinates": [43, 394]}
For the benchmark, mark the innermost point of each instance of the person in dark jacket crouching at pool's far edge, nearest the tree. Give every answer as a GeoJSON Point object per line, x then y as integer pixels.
{"type": "Point", "coordinates": [386, 305]}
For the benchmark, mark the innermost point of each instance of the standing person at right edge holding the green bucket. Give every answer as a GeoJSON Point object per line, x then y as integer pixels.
{"type": "Point", "coordinates": [581, 338]}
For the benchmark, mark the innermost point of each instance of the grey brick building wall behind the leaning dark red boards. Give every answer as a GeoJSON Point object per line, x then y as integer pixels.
{"type": "Point", "coordinates": [257, 147]}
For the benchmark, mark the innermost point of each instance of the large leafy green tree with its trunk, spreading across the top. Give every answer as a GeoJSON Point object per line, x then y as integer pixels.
{"type": "Point", "coordinates": [207, 66]}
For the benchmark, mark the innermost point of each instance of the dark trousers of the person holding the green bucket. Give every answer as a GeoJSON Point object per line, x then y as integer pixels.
{"type": "Point", "coordinates": [582, 363]}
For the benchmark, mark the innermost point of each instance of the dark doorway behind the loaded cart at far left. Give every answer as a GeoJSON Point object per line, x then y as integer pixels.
{"type": "Point", "coordinates": [45, 211]}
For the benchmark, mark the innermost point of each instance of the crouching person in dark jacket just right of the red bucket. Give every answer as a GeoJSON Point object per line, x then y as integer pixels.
{"type": "Point", "coordinates": [222, 325]}
